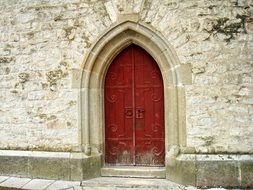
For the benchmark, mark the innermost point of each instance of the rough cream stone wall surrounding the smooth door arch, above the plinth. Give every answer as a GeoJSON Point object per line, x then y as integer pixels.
{"type": "Point", "coordinates": [41, 42]}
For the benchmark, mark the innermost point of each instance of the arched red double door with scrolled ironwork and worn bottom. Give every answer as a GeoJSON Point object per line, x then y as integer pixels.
{"type": "Point", "coordinates": [134, 110]}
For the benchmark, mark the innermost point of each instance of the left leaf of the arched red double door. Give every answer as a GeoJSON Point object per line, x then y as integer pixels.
{"type": "Point", "coordinates": [119, 111]}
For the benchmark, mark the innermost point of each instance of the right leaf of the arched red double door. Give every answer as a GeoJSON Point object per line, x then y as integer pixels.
{"type": "Point", "coordinates": [149, 98]}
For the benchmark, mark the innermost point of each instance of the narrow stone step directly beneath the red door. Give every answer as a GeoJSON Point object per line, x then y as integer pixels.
{"type": "Point", "coordinates": [142, 172]}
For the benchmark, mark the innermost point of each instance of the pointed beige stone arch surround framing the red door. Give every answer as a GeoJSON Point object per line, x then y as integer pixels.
{"type": "Point", "coordinates": [91, 110]}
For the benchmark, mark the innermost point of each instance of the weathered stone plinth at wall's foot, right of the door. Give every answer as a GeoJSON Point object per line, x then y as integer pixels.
{"type": "Point", "coordinates": [209, 170]}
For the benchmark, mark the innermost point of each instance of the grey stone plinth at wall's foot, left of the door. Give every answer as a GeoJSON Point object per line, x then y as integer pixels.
{"type": "Point", "coordinates": [49, 165]}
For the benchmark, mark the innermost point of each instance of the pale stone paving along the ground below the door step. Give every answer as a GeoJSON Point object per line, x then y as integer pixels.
{"type": "Point", "coordinates": [101, 183]}
